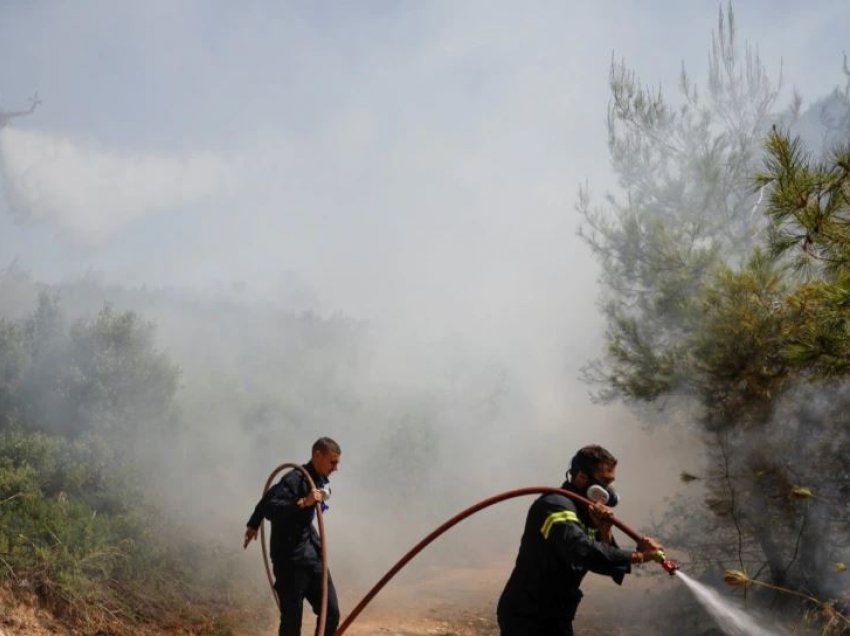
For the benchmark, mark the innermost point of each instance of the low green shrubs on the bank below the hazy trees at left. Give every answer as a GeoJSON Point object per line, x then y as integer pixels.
{"type": "Point", "coordinates": [83, 539]}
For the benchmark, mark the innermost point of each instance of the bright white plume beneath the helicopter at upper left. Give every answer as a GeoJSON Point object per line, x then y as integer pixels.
{"type": "Point", "coordinates": [89, 192]}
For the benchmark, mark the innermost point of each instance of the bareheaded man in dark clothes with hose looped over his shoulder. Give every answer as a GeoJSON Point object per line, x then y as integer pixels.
{"type": "Point", "coordinates": [295, 547]}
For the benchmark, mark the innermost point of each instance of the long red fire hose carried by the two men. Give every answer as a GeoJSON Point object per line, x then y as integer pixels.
{"type": "Point", "coordinates": [669, 565]}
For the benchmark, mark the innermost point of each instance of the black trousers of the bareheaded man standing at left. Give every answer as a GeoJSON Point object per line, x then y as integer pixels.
{"type": "Point", "coordinates": [295, 584]}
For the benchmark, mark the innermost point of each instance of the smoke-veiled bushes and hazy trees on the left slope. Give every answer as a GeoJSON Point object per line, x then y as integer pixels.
{"type": "Point", "coordinates": [77, 530]}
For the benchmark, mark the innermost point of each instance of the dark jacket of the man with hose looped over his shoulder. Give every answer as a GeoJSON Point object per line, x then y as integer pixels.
{"type": "Point", "coordinates": [294, 540]}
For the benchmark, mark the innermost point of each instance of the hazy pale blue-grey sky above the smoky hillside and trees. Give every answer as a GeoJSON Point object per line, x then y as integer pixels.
{"type": "Point", "coordinates": [413, 165]}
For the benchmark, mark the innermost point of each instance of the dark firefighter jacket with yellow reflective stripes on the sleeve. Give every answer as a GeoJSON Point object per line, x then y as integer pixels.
{"type": "Point", "coordinates": [558, 548]}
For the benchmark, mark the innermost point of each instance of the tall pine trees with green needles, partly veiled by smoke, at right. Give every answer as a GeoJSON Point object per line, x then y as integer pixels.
{"type": "Point", "coordinates": [727, 295]}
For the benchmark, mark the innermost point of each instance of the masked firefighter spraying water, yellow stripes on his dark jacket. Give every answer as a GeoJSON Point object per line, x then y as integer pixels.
{"type": "Point", "coordinates": [562, 541]}
